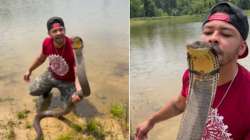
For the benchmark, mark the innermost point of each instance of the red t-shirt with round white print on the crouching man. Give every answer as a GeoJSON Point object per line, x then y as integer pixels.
{"type": "Point", "coordinates": [61, 60]}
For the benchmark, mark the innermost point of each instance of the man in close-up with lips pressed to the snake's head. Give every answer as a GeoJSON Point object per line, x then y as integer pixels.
{"type": "Point", "coordinates": [229, 118]}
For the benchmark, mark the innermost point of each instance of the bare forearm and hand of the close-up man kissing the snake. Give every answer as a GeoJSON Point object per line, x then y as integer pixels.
{"type": "Point", "coordinates": [172, 108]}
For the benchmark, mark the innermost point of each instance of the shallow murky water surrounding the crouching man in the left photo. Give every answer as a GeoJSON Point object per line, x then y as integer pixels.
{"type": "Point", "coordinates": [102, 24]}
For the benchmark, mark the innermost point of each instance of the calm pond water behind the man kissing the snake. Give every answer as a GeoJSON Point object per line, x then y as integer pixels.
{"type": "Point", "coordinates": [158, 60]}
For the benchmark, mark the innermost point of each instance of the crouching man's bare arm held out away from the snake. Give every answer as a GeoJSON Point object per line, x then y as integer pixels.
{"type": "Point", "coordinates": [39, 60]}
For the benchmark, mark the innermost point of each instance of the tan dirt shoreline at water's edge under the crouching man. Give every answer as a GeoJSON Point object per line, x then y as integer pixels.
{"type": "Point", "coordinates": [18, 125]}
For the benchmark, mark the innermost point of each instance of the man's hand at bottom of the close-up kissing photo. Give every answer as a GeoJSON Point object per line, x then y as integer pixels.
{"type": "Point", "coordinates": [142, 130]}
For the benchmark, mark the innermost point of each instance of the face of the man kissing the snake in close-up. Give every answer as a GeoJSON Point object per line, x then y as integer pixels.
{"type": "Point", "coordinates": [228, 39]}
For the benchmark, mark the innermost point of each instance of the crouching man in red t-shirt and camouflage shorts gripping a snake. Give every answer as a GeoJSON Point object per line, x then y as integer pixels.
{"type": "Point", "coordinates": [61, 70]}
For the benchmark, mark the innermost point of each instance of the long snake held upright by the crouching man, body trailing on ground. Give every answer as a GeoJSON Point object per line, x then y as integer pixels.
{"type": "Point", "coordinates": [83, 81]}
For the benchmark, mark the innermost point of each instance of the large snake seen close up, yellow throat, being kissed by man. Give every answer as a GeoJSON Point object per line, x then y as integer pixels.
{"type": "Point", "coordinates": [204, 72]}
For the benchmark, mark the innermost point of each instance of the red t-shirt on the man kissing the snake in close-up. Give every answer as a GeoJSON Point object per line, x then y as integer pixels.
{"type": "Point", "coordinates": [235, 109]}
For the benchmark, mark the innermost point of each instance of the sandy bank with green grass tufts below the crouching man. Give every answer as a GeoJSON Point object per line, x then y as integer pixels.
{"type": "Point", "coordinates": [110, 126]}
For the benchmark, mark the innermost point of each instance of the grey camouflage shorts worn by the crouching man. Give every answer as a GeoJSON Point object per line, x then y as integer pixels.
{"type": "Point", "coordinates": [45, 82]}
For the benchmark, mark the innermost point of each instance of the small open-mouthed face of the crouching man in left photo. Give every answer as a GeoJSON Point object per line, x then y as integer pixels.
{"type": "Point", "coordinates": [57, 34]}
